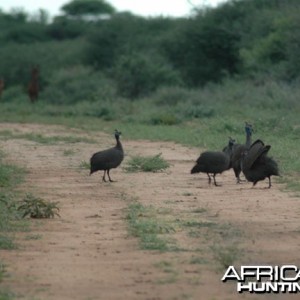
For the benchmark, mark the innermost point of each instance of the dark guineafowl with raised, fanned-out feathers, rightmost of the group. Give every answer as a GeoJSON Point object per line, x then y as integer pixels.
{"type": "Point", "coordinates": [256, 165]}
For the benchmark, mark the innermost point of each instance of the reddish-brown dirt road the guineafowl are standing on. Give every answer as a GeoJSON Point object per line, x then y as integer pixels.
{"type": "Point", "coordinates": [88, 254]}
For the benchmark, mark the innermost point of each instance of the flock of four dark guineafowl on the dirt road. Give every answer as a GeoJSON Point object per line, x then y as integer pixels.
{"type": "Point", "coordinates": [250, 158]}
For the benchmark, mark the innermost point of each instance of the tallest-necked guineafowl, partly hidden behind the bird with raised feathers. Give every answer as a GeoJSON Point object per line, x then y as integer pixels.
{"type": "Point", "coordinates": [237, 151]}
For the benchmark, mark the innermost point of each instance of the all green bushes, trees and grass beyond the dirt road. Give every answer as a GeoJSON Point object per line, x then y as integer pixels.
{"type": "Point", "coordinates": [193, 80]}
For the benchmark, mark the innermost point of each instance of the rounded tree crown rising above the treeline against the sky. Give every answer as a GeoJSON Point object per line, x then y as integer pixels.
{"type": "Point", "coordinates": [81, 8]}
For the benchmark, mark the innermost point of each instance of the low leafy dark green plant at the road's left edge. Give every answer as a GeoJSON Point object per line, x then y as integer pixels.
{"type": "Point", "coordinates": [38, 208]}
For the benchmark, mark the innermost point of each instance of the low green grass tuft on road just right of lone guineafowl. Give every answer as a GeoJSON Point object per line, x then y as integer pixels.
{"type": "Point", "coordinates": [147, 164]}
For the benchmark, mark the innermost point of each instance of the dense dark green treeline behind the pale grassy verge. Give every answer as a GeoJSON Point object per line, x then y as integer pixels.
{"type": "Point", "coordinates": [123, 55]}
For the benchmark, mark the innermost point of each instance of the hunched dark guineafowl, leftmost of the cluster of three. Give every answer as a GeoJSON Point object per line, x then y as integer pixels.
{"type": "Point", "coordinates": [213, 162]}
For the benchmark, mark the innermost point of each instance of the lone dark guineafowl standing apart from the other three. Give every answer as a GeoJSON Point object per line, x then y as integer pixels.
{"type": "Point", "coordinates": [108, 159]}
